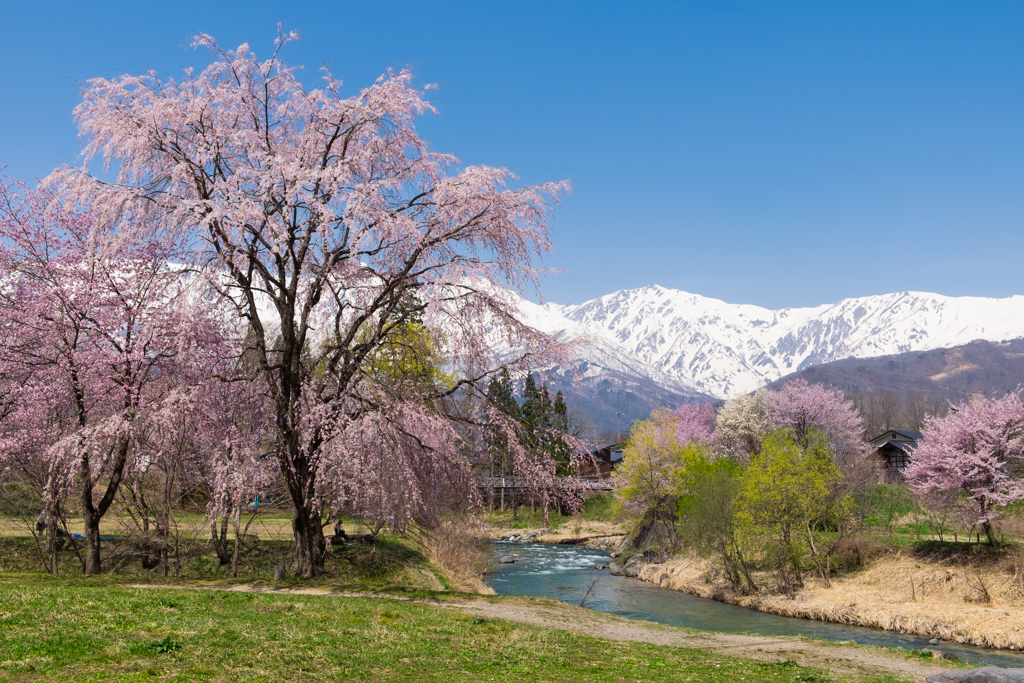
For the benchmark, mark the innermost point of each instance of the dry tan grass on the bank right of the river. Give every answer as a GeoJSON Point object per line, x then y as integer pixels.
{"type": "Point", "coordinates": [965, 604]}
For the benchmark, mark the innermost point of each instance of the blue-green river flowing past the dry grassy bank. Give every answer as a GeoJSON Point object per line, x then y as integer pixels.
{"type": "Point", "coordinates": [566, 573]}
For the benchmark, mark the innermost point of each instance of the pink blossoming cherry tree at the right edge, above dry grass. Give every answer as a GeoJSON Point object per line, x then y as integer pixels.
{"type": "Point", "coordinates": [973, 453]}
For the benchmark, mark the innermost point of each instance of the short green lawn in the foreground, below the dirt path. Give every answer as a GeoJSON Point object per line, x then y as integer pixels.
{"type": "Point", "coordinates": [88, 633]}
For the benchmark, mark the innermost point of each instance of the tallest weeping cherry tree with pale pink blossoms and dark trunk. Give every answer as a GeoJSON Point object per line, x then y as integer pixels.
{"type": "Point", "coordinates": [331, 227]}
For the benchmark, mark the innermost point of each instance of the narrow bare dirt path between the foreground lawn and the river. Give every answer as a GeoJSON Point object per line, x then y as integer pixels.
{"type": "Point", "coordinates": [842, 660]}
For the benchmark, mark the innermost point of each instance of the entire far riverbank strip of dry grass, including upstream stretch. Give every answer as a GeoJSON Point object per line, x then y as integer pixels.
{"type": "Point", "coordinates": [957, 592]}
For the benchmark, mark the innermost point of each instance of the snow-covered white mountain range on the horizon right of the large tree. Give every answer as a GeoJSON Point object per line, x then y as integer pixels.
{"type": "Point", "coordinates": [691, 346]}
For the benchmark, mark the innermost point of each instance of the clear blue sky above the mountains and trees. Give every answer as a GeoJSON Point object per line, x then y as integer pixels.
{"type": "Point", "coordinates": [782, 154]}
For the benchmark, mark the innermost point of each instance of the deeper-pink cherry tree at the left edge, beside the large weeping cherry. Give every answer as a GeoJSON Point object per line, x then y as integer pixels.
{"type": "Point", "coordinates": [103, 329]}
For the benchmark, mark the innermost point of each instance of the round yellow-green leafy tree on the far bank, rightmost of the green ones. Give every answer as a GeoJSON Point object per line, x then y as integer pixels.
{"type": "Point", "coordinates": [785, 489]}
